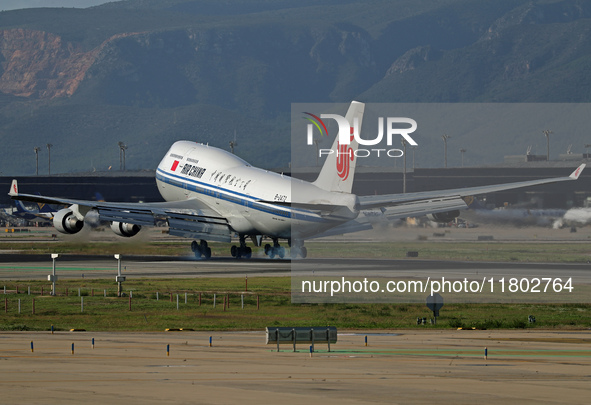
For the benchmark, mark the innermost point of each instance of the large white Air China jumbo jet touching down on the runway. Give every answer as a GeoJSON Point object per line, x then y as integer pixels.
{"type": "Point", "coordinates": [211, 194]}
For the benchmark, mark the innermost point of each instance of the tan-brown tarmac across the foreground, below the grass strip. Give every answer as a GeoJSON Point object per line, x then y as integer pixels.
{"type": "Point", "coordinates": [396, 367]}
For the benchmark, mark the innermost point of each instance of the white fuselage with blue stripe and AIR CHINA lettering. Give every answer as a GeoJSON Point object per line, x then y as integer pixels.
{"type": "Point", "coordinates": [253, 200]}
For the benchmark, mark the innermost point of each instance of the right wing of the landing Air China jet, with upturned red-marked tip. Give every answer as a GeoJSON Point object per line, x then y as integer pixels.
{"type": "Point", "coordinates": [429, 202]}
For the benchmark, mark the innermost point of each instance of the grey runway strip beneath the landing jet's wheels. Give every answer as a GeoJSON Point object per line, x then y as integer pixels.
{"type": "Point", "coordinates": [36, 267]}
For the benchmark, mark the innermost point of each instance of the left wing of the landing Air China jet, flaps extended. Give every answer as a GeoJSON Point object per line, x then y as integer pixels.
{"type": "Point", "coordinates": [188, 218]}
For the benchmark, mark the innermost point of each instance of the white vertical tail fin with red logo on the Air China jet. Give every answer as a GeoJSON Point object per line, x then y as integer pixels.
{"type": "Point", "coordinates": [339, 168]}
